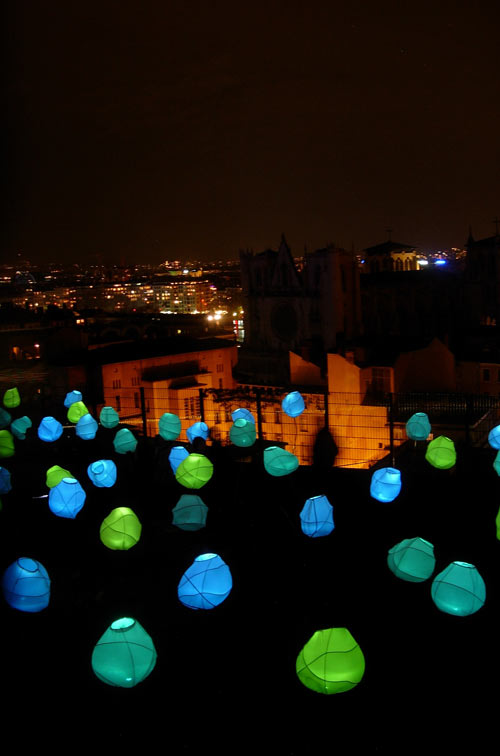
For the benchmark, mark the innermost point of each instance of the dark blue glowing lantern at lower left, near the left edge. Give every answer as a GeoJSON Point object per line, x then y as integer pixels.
{"type": "Point", "coordinates": [26, 585]}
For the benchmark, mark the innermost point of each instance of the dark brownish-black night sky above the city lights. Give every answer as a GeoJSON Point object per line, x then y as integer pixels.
{"type": "Point", "coordinates": [188, 130]}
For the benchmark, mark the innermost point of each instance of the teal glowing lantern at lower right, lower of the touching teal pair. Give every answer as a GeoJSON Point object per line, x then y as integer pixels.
{"type": "Point", "coordinates": [459, 589]}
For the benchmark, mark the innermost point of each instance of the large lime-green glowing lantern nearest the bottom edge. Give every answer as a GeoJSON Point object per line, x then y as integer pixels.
{"type": "Point", "coordinates": [331, 662]}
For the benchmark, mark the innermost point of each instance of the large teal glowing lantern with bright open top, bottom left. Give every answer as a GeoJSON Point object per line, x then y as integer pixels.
{"type": "Point", "coordinates": [125, 655]}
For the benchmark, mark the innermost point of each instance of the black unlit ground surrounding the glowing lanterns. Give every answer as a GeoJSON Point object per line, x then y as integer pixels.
{"type": "Point", "coordinates": [225, 679]}
